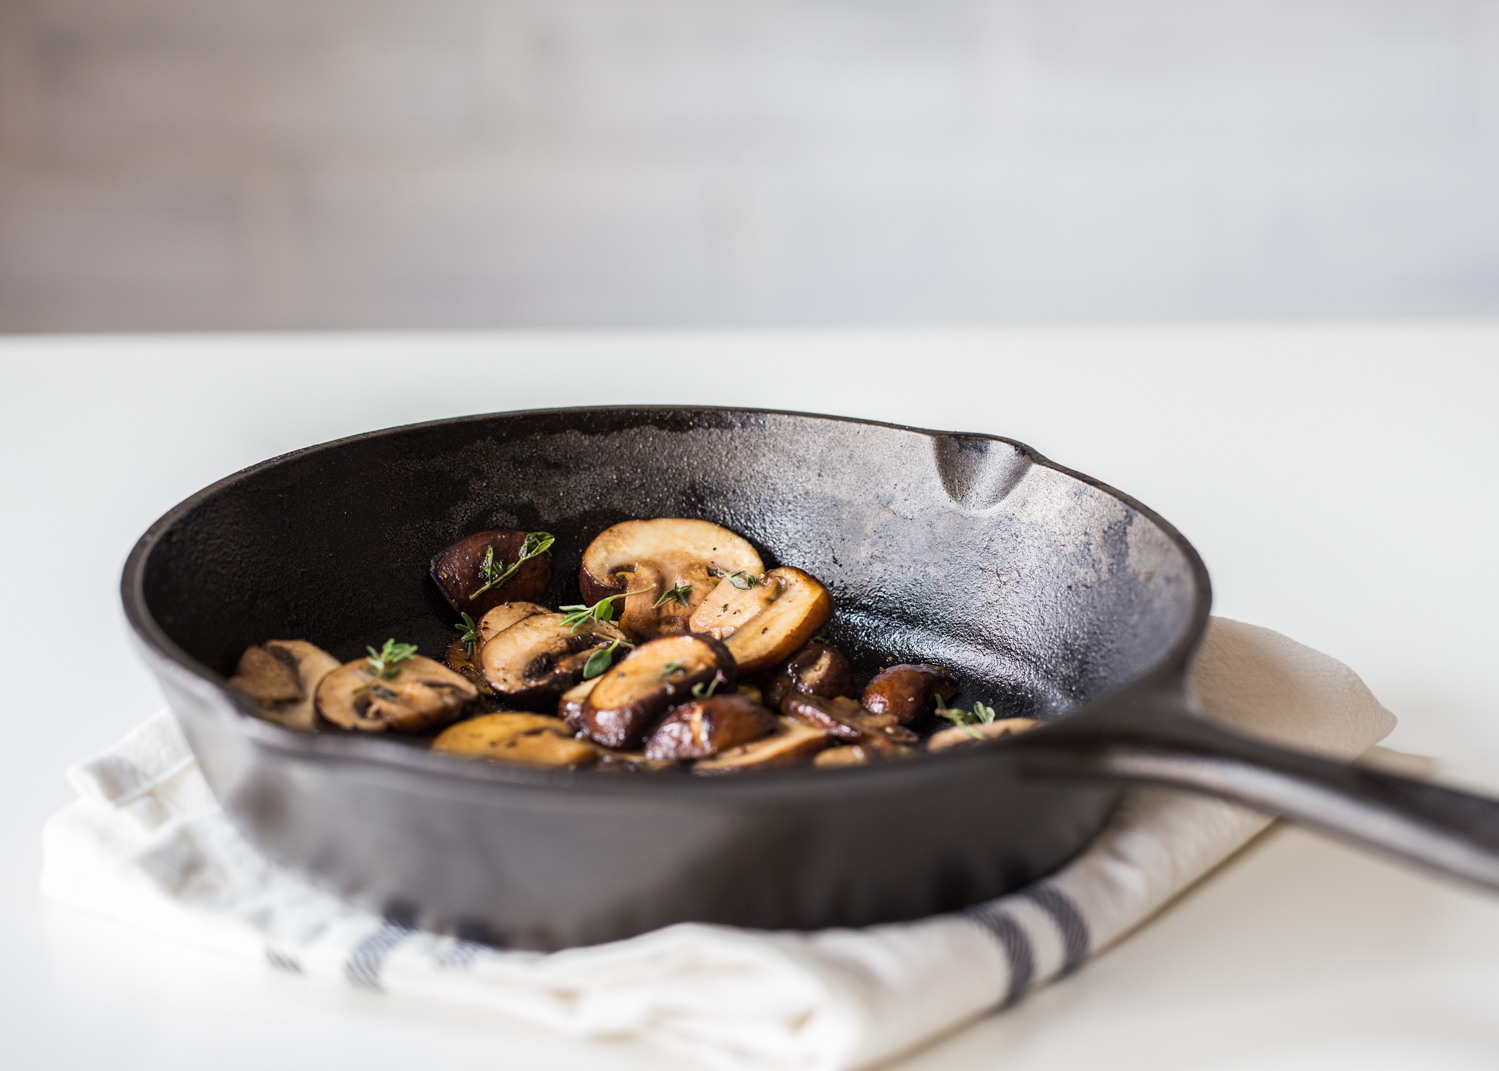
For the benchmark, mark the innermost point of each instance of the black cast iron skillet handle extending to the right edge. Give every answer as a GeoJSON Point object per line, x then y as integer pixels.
{"type": "Point", "coordinates": [1444, 830]}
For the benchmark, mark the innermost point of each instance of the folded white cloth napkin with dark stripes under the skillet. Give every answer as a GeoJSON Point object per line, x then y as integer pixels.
{"type": "Point", "coordinates": [148, 845]}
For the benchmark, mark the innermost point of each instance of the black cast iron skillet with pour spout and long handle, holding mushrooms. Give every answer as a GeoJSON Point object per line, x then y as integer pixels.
{"type": "Point", "coordinates": [1047, 593]}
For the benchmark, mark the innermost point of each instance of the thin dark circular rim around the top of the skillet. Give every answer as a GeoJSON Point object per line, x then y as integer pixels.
{"type": "Point", "coordinates": [1167, 674]}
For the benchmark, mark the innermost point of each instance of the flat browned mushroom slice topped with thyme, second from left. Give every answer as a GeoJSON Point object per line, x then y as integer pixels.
{"type": "Point", "coordinates": [419, 695]}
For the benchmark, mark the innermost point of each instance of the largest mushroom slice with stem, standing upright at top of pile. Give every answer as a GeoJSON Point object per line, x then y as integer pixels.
{"type": "Point", "coordinates": [654, 559]}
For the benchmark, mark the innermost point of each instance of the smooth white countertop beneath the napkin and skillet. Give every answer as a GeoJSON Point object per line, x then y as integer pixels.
{"type": "Point", "coordinates": [1339, 481]}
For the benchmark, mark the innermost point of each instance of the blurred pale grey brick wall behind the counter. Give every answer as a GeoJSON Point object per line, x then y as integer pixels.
{"type": "Point", "coordinates": [187, 164]}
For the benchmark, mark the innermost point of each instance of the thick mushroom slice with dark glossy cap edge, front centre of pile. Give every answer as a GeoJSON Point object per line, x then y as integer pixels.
{"type": "Point", "coordinates": [633, 697]}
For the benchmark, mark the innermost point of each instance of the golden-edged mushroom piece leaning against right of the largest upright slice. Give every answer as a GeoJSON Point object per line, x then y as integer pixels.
{"type": "Point", "coordinates": [762, 625]}
